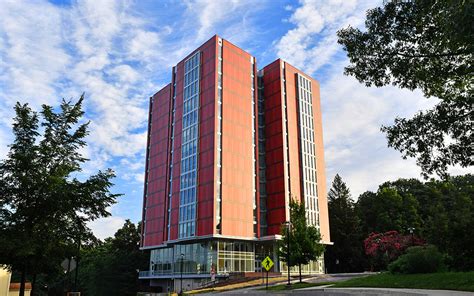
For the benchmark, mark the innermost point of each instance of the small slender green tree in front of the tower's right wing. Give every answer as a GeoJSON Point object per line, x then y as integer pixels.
{"type": "Point", "coordinates": [305, 240]}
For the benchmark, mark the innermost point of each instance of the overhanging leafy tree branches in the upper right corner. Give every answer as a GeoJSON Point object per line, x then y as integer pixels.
{"type": "Point", "coordinates": [426, 45]}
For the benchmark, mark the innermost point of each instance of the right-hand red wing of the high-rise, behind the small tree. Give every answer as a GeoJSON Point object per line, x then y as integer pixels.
{"type": "Point", "coordinates": [292, 141]}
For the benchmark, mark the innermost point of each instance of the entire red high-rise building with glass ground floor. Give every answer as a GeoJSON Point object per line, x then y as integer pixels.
{"type": "Point", "coordinates": [226, 150]}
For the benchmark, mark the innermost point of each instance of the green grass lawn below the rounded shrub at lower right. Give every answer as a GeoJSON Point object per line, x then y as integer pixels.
{"type": "Point", "coordinates": [462, 281]}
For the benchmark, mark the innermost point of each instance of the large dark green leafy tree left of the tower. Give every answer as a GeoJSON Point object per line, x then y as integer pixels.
{"type": "Point", "coordinates": [44, 209]}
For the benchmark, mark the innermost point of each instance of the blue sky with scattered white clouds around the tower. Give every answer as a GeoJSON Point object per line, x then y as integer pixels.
{"type": "Point", "coordinates": [121, 52]}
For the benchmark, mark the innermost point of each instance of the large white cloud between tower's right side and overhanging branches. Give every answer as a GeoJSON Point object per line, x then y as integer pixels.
{"type": "Point", "coordinates": [354, 145]}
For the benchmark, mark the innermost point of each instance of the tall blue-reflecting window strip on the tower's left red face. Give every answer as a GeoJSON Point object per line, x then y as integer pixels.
{"type": "Point", "coordinates": [189, 148]}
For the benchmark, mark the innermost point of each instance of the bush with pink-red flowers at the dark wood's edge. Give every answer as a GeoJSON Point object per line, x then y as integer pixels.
{"type": "Point", "coordinates": [383, 248]}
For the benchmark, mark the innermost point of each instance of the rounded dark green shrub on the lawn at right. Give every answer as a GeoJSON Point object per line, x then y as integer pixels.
{"type": "Point", "coordinates": [418, 259]}
